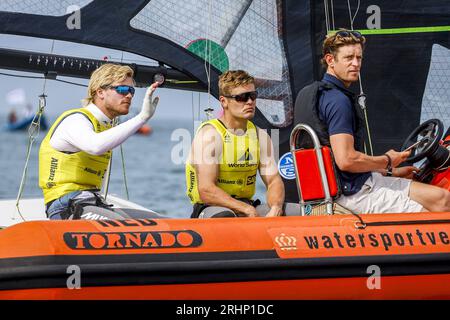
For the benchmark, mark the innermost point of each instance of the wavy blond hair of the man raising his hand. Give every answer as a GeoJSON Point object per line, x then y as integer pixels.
{"type": "Point", "coordinates": [104, 76]}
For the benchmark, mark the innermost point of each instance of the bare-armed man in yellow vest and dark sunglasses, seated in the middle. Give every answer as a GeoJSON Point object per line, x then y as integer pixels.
{"type": "Point", "coordinates": [227, 153]}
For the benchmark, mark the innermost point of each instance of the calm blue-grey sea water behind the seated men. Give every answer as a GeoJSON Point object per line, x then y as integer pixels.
{"type": "Point", "coordinates": [154, 180]}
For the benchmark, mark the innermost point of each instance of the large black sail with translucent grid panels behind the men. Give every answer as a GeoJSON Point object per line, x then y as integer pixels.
{"type": "Point", "coordinates": [405, 74]}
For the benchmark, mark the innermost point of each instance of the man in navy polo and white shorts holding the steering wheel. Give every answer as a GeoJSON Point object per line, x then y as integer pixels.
{"type": "Point", "coordinates": [371, 184]}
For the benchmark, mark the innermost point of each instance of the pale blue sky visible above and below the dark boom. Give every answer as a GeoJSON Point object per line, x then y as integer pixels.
{"type": "Point", "coordinates": [61, 97]}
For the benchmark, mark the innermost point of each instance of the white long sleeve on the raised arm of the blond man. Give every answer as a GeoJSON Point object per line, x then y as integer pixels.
{"type": "Point", "coordinates": [76, 133]}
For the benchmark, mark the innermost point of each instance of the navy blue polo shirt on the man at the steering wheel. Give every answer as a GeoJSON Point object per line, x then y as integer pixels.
{"type": "Point", "coordinates": [336, 111]}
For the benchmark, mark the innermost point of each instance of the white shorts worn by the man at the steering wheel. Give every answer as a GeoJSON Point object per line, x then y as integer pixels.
{"type": "Point", "coordinates": [381, 194]}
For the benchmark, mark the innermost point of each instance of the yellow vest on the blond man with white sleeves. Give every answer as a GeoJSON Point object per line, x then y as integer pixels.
{"type": "Point", "coordinates": [61, 172]}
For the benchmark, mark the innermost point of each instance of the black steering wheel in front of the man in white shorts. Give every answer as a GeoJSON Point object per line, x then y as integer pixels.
{"type": "Point", "coordinates": [426, 138]}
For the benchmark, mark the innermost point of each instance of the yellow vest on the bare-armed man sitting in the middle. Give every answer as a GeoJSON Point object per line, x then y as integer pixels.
{"type": "Point", "coordinates": [238, 166]}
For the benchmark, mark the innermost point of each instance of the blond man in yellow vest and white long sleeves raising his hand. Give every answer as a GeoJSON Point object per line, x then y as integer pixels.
{"type": "Point", "coordinates": [76, 151]}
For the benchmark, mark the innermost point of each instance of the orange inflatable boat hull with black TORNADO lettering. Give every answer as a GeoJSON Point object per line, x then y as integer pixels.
{"type": "Point", "coordinates": [398, 256]}
